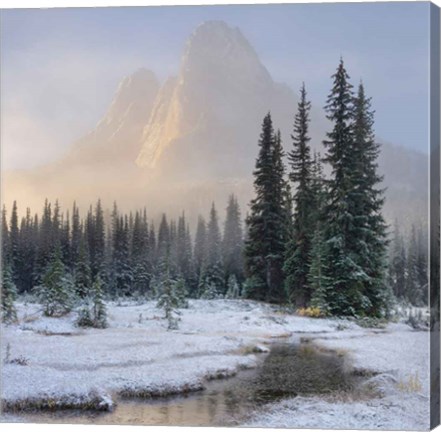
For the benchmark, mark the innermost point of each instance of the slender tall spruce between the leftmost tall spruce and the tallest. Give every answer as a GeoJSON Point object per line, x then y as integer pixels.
{"type": "Point", "coordinates": [298, 252]}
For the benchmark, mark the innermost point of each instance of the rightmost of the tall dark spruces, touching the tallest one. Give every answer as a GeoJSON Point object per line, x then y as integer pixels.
{"type": "Point", "coordinates": [368, 223]}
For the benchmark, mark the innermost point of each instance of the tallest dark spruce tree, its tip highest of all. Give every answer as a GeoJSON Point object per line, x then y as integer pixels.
{"type": "Point", "coordinates": [346, 277]}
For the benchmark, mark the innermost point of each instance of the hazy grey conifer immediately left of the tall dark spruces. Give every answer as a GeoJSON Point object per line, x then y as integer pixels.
{"type": "Point", "coordinates": [232, 243]}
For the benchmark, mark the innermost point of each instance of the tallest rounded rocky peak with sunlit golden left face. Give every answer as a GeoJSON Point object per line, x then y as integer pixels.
{"type": "Point", "coordinates": [213, 110]}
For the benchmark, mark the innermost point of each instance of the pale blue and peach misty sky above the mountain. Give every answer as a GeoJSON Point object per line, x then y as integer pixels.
{"type": "Point", "coordinates": [60, 67]}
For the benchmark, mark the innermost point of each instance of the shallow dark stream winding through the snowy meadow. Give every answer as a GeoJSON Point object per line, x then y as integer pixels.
{"type": "Point", "coordinates": [286, 371]}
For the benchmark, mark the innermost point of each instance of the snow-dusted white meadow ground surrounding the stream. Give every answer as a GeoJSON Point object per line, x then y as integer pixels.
{"type": "Point", "coordinates": [136, 355]}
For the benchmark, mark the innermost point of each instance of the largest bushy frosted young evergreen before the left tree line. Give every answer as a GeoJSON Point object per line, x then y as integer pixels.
{"type": "Point", "coordinates": [55, 291]}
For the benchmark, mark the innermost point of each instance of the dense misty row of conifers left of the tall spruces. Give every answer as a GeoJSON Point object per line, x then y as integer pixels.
{"type": "Point", "coordinates": [127, 253]}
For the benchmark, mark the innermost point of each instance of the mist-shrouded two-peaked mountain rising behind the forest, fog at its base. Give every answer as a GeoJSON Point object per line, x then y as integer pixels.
{"type": "Point", "coordinates": [193, 139]}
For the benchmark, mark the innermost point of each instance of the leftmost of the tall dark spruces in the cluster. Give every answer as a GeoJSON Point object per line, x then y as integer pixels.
{"type": "Point", "coordinates": [266, 222]}
